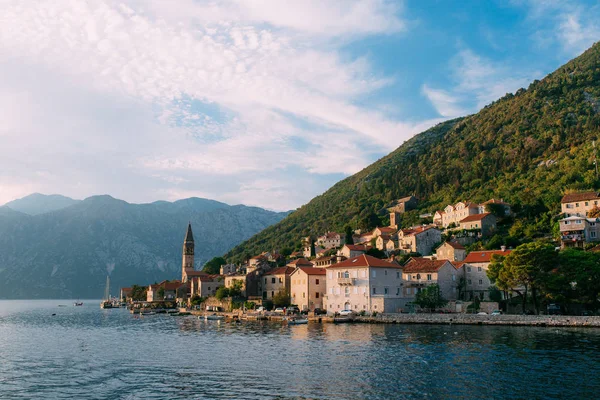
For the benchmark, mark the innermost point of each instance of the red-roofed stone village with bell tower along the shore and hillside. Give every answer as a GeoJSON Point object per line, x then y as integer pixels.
{"type": "Point", "coordinates": [390, 269]}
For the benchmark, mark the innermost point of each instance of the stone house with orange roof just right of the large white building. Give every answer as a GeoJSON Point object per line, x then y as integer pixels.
{"type": "Point", "coordinates": [418, 273]}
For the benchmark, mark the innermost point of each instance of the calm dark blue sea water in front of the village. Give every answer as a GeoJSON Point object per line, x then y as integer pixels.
{"type": "Point", "coordinates": [85, 352]}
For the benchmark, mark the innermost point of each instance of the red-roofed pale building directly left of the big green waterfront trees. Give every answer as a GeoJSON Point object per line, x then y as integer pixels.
{"type": "Point", "coordinates": [476, 265]}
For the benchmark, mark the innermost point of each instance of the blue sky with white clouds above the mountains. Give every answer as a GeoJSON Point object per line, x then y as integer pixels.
{"type": "Point", "coordinates": [264, 103]}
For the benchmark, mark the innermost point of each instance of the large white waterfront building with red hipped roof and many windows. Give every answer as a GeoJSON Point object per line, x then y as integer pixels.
{"type": "Point", "coordinates": [364, 283]}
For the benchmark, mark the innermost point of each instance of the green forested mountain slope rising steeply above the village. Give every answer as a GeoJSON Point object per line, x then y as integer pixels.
{"type": "Point", "coordinates": [527, 148]}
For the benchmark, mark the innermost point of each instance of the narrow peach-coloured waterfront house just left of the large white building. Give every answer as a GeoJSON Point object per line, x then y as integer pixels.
{"type": "Point", "coordinates": [307, 287]}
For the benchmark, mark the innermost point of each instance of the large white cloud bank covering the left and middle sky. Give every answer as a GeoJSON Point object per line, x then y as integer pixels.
{"type": "Point", "coordinates": [141, 99]}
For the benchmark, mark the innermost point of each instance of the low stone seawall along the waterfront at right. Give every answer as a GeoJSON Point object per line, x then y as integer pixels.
{"type": "Point", "coordinates": [473, 319]}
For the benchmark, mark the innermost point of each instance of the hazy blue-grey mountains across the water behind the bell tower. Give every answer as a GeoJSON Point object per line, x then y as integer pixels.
{"type": "Point", "coordinates": [67, 253]}
